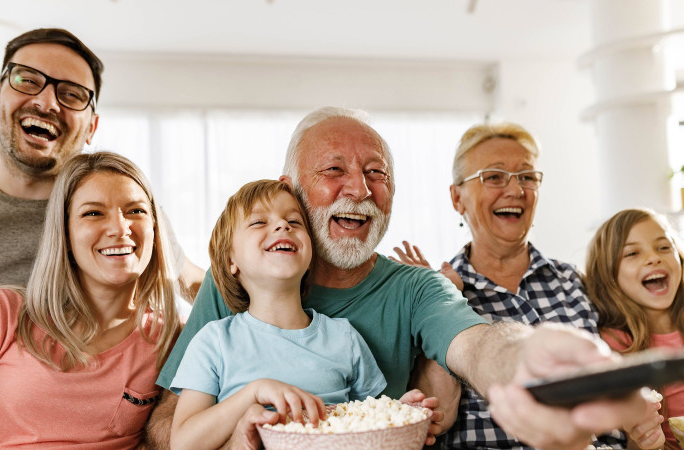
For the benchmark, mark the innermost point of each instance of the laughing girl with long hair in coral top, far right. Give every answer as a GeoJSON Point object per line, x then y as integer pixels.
{"type": "Point", "coordinates": [634, 277]}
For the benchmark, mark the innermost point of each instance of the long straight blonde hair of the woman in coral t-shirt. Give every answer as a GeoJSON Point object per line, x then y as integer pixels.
{"type": "Point", "coordinates": [55, 301]}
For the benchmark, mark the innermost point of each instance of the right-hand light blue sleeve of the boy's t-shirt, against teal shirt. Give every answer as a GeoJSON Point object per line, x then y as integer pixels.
{"type": "Point", "coordinates": [367, 377]}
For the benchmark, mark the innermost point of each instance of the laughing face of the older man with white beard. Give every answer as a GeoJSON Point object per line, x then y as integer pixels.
{"type": "Point", "coordinates": [344, 179]}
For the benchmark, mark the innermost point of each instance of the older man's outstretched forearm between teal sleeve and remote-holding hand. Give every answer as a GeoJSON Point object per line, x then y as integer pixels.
{"type": "Point", "coordinates": [484, 355]}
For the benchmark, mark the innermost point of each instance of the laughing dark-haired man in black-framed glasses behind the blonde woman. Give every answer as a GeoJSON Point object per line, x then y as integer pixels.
{"type": "Point", "coordinates": [49, 86]}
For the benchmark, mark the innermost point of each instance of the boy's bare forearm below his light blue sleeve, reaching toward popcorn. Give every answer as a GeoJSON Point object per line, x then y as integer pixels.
{"type": "Point", "coordinates": [210, 427]}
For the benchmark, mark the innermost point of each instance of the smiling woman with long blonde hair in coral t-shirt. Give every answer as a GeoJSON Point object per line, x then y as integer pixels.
{"type": "Point", "coordinates": [81, 348]}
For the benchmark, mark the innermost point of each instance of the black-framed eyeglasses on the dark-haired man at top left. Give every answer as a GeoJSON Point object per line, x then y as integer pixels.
{"type": "Point", "coordinates": [30, 81]}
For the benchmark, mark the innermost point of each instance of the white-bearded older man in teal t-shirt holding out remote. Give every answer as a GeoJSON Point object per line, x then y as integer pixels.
{"type": "Point", "coordinates": [342, 169]}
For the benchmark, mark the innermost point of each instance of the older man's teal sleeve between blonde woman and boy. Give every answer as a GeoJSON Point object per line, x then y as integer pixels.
{"type": "Point", "coordinates": [208, 306]}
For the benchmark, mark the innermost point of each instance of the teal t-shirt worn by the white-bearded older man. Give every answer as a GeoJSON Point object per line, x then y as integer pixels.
{"type": "Point", "coordinates": [399, 310]}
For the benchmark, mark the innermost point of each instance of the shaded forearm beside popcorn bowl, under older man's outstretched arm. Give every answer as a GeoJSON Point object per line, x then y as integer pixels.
{"type": "Point", "coordinates": [432, 380]}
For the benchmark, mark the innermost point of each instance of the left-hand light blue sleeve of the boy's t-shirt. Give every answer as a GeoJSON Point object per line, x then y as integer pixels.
{"type": "Point", "coordinates": [201, 365]}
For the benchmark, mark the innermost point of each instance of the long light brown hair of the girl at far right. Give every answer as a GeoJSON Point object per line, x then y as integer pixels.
{"type": "Point", "coordinates": [616, 309]}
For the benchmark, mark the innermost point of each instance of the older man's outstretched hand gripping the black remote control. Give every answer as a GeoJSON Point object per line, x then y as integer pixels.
{"type": "Point", "coordinates": [550, 350]}
